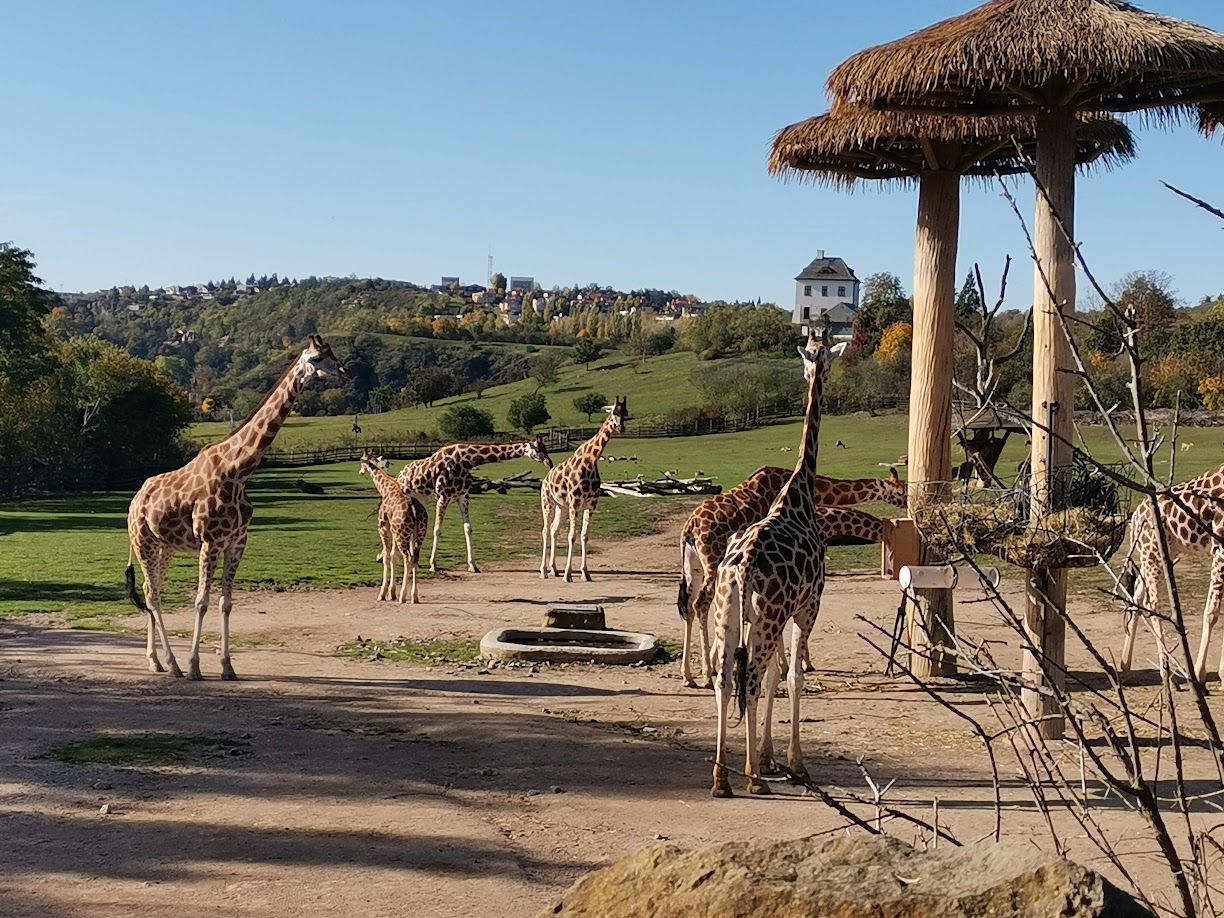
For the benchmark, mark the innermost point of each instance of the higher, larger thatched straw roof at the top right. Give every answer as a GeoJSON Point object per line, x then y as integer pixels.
{"type": "Point", "coordinates": [1020, 56]}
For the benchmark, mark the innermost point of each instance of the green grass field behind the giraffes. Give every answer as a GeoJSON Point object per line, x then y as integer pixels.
{"type": "Point", "coordinates": [67, 555]}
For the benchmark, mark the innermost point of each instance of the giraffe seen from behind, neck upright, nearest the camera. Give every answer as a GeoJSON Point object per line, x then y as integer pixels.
{"type": "Point", "coordinates": [773, 575]}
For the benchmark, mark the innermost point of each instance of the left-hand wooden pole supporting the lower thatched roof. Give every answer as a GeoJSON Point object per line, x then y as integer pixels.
{"type": "Point", "coordinates": [931, 624]}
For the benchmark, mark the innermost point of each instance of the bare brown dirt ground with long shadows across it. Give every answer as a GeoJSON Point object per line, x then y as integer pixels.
{"type": "Point", "coordinates": [373, 789]}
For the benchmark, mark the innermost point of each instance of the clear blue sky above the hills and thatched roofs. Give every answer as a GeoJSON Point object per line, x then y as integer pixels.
{"type": "Point", "coordinates": [622, 144]}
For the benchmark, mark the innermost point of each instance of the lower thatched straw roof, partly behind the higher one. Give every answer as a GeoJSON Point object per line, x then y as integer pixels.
{"type": "Point", "coordinates": [851, 144]}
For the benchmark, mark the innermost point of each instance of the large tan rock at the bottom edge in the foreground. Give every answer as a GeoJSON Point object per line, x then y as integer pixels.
{"type": "Point", "coordinates": [844, 877]}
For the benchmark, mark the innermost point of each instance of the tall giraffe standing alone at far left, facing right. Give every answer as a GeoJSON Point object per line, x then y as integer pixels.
{"type": "Point", "coordinates": [204, 507]}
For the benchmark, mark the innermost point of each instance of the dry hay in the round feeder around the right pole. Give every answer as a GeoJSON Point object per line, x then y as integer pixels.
{"type": "Point", "coordinates": [1068, 539]}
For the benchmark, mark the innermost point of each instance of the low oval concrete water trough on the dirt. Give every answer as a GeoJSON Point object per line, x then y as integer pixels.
{"type": "Point", "coordinates": [570, 646]}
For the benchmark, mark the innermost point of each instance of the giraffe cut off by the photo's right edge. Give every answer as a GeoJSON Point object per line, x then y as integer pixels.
{"type": "Point", "coordinates": [1188, 534]}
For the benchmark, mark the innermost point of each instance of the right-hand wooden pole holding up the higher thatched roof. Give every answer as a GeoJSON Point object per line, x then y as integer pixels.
{"type": "Point", "coordinates": [1053, 406]}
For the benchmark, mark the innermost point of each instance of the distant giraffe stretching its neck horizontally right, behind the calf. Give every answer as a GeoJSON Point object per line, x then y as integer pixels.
{"type": "Point", "coordinates": [447, 477]}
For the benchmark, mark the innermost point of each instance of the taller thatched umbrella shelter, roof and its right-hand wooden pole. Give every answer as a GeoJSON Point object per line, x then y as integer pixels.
{"type": "Point", "coordinates": [1052, 59]}
